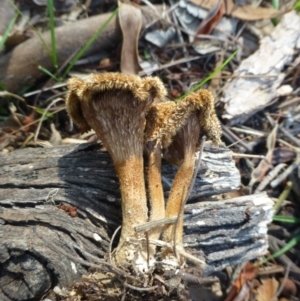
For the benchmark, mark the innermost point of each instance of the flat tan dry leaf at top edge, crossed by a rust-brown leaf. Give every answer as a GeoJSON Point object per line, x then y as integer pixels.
{"type": "Point", "coordinates": [245, 13]}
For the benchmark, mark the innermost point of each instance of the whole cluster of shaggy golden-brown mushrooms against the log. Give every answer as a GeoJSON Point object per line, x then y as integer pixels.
{"type": "Point", "coordinates": [128, 116]}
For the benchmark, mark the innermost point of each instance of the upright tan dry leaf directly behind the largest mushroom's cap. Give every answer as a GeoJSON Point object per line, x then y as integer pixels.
{"type": "Point", "coordinates": [130, 18]}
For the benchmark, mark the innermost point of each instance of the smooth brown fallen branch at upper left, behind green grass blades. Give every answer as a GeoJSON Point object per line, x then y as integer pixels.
{"type": "Point", "coordinates": [19, 68]}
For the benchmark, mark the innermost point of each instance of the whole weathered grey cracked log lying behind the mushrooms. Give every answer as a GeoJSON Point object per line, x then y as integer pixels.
{"type": "Point", "coordinates": [34, 181]}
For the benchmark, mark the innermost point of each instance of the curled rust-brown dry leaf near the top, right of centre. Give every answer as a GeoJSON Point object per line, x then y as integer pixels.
{"type": "Point", "coordinates": [212, 19]}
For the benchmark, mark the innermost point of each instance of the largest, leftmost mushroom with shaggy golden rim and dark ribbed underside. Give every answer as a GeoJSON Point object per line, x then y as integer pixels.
{"type": "Point", "coordinates": [115, 105]}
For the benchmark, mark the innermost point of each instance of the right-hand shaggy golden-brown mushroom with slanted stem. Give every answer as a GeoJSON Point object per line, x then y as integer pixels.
{"type": "Point", "coordinates": [178, 128]}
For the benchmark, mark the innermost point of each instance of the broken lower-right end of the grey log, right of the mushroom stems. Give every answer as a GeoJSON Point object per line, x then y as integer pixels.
{"type": "Point", "coordinates": [228, 232]}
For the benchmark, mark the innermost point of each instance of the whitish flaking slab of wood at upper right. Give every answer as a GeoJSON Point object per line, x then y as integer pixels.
{"type": "Point", "coordinates": [256, 84]}
